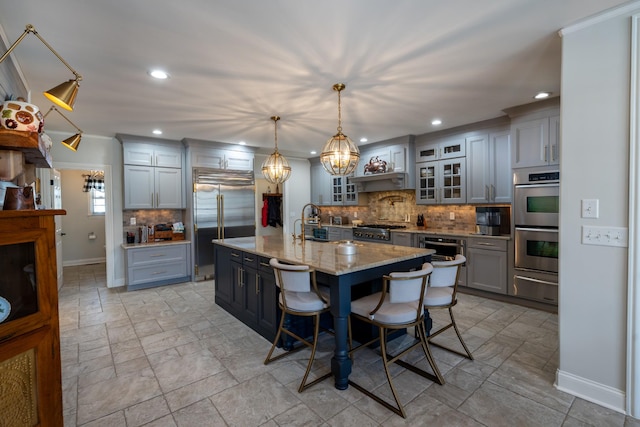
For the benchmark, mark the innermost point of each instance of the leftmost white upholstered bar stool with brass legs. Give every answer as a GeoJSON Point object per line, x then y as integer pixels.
{"type": "Point", "coordinates": [299, 296]}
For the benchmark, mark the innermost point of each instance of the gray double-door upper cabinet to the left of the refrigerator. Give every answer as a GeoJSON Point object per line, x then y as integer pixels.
{"type": "Point", "coordinates": [153, 173]}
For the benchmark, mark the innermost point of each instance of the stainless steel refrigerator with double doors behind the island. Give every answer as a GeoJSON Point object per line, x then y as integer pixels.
{"type": "Point", "coordinates": [223, 207]}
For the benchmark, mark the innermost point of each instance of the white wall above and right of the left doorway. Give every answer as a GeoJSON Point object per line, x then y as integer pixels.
{"type": "Point", "coordinates": [98, 152]}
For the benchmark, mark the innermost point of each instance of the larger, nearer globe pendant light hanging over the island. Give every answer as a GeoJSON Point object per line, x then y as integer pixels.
{"type": "Point", "coordinates": [340, 155]}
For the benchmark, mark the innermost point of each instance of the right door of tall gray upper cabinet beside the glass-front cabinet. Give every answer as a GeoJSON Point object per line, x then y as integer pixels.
{"type": "Point", "coordinates": [501, 177]}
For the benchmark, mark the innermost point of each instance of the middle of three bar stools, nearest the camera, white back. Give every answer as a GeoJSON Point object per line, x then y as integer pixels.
{"type": "Point", "coordinates": [400, 308]}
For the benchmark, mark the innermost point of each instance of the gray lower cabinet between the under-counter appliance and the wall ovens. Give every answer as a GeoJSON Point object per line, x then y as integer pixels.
{"type": "Point", "coordinates": [487, 264]}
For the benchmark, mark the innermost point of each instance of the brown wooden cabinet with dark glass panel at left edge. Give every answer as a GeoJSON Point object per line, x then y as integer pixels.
{"type": "Point", "coordinates": [30, 367]}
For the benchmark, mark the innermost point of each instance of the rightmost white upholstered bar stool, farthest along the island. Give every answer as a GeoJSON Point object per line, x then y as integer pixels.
{"type": "Point", "coordinates": [442, 292]}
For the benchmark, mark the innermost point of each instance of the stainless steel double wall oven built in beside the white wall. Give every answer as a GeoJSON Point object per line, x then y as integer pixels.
{"type": "Point", "coordinates": [535, 213]}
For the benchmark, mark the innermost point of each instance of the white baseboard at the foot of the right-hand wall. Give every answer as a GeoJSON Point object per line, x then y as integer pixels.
{"type": "Point", "coordinates": [586, 389]}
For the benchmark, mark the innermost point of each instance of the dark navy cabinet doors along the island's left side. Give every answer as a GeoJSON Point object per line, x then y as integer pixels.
{"type": "Point", "coordinates": [246, 287]}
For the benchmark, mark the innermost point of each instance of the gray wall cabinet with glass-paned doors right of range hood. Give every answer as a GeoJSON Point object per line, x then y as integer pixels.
{"type": "Point", "coordinates": [441, 182]}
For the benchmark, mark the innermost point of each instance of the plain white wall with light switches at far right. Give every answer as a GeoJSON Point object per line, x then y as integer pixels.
{"type": "Point", "coordinates": [594, 165]}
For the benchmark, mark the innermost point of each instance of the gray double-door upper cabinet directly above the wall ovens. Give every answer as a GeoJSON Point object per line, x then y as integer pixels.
{"type": "Point", "coordinates": [535, 134]}
